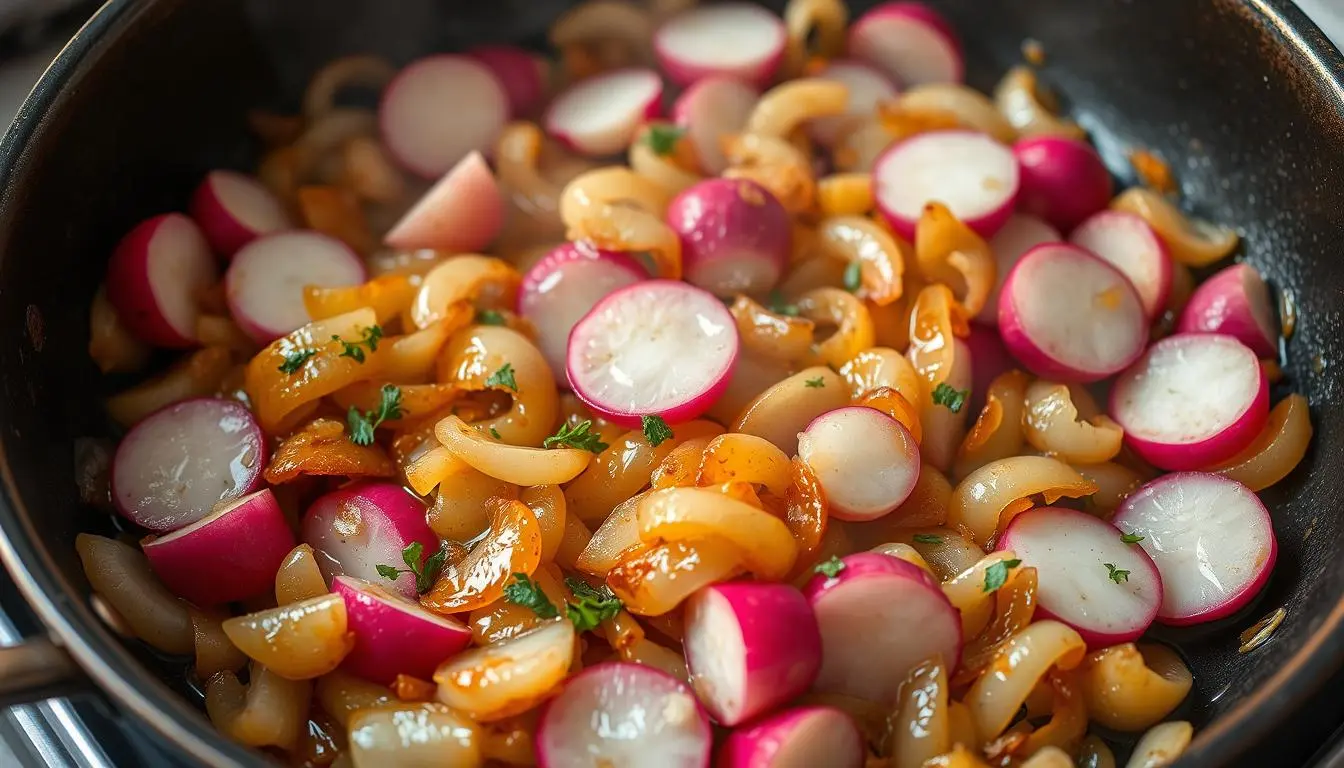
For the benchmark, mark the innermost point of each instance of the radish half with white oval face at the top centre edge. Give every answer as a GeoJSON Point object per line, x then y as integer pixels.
{"type": "Point", "coordinates": [736, 40]}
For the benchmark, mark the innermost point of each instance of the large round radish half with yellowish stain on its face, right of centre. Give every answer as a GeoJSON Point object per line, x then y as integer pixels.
{"type": "Point", "coordinates": [1070, 317]}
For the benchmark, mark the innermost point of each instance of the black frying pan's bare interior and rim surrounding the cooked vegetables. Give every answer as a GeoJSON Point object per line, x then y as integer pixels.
{"type": "Point", "coordinates": [1244, 99]}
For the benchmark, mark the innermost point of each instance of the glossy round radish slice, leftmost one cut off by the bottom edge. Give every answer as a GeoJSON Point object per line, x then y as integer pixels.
{"type": "Point", "coordinates": [624, 716]}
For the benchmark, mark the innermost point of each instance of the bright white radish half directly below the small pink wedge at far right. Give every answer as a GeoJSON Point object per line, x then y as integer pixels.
{"type": "Point", "coordinates": [1194, 400]}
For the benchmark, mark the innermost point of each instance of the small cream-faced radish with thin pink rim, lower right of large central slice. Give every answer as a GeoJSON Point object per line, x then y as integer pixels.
{"type": "Point", "coordinates": [868, 462]}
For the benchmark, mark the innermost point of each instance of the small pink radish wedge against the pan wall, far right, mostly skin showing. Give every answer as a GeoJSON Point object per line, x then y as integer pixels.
{"type": "Point", "coordinates": [1236, 302]}
